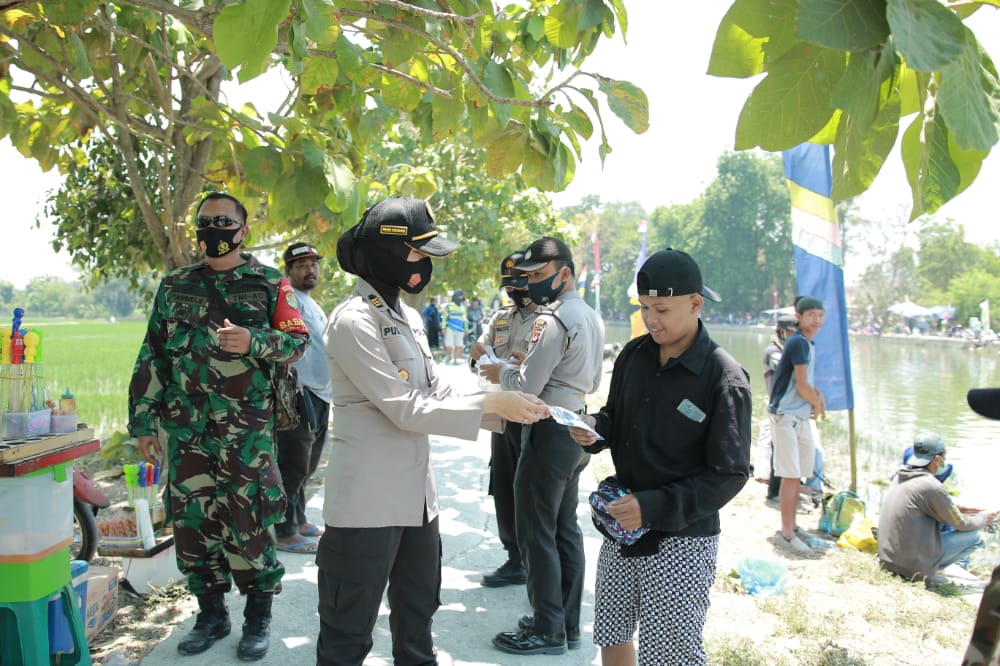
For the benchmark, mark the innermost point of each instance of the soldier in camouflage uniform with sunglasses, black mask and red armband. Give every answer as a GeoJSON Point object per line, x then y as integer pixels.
{"type": "Point", "coordinates": [215, 334]}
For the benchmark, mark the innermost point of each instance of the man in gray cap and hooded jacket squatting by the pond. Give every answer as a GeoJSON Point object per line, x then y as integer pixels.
{"type": "Point", "coordinates": [910, 542]}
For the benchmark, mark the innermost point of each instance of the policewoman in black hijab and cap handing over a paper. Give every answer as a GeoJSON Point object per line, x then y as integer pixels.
{"type": "Point", "coordinates": [381, 505]}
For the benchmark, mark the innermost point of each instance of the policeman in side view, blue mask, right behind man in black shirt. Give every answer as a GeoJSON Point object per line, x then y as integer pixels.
{"type": "Point", "coordinates": [562, 365]}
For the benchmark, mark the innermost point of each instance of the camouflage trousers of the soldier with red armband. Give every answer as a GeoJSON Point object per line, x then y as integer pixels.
{"type": "Point", "coordinates": [224, 491]}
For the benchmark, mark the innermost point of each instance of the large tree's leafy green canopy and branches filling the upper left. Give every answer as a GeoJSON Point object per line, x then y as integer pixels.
{"type": "Point", "coordinates": [150, 80]}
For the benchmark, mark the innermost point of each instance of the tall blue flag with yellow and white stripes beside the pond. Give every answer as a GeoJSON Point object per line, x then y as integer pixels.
{"type": "Point", "coordinates": [819, 265]}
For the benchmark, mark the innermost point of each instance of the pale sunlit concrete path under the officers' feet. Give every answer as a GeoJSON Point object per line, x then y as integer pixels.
{"type": "Point", "coordinates": [470, 614]}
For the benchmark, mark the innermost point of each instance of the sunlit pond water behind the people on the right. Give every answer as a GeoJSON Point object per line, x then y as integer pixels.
{"type": "Point", "coordinates": [901, 387]}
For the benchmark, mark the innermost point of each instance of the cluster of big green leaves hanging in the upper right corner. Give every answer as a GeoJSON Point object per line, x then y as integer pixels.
{"type": "Point", "coordinates": [847, 74]}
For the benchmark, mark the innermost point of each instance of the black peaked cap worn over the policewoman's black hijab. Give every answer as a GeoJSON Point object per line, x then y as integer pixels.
{"type": "Point", "coordinates": [408, 220]}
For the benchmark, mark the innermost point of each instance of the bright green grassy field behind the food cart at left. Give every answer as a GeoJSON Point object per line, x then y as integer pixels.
{"type": "Point", "coordinates": [94, 359]}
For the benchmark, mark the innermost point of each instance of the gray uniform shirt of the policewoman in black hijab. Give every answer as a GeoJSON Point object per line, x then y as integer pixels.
{"type": "Point", "coordinates": [387, 400]}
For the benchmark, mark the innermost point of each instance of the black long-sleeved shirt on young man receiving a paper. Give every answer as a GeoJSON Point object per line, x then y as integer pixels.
{"type": "Point", "coordinates": [682, 471]}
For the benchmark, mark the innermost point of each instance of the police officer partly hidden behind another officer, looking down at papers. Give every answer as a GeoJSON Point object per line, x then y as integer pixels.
{"type": "Point", "coordinates": [507, 333]}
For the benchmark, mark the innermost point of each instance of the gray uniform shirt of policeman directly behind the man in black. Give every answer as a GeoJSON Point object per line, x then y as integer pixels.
{"type": "Point", "coordinates": [565, 354]}
